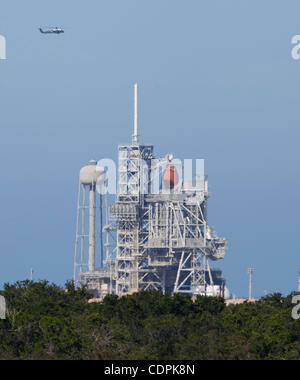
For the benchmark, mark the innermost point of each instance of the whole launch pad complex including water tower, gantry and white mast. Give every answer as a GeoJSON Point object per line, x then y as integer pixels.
{"type": "Point", "coordinates": [163, 241]}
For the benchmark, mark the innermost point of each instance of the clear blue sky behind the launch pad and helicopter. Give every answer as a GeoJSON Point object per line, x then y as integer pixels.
{"type": "Point", "coordinates": [217, 81]}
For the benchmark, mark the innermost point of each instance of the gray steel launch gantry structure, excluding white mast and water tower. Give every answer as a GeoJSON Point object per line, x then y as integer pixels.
{"type": "Point", "coordinates": [163, 240]}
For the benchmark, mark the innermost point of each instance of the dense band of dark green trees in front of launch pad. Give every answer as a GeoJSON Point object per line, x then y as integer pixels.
{"type": "Point", "coordinates": [47, 322]}
